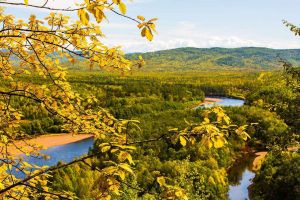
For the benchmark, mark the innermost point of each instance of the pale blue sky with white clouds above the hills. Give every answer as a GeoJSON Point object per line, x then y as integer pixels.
{"type": "Point", "coordinates": [197, 23]}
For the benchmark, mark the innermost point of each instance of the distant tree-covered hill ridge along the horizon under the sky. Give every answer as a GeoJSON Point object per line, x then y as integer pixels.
{"type": "Point", "coordinates": [187, 59]}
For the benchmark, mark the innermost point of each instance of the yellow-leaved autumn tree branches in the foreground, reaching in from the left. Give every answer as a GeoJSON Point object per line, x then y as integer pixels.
{"type": "Point", "coordinates": [31, 67]}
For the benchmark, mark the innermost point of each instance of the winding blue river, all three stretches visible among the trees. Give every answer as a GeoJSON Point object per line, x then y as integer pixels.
{"type": "Point", "coordinates": [240, 175]}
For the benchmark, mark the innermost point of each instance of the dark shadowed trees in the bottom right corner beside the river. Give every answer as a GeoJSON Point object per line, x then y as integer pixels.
{"type": "Point", "coordinates": [278, 177]}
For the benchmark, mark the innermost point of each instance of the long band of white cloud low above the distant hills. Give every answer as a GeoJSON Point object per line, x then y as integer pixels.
{"type": "Point", "coordinates": [187, 35]}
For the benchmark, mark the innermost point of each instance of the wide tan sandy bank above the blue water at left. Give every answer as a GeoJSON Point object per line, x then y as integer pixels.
{"type": "Point", "coordinates": [45, 142]}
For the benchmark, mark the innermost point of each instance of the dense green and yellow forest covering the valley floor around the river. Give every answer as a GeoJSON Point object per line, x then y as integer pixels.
{"type": "Point", "coordinates": [163, 101]}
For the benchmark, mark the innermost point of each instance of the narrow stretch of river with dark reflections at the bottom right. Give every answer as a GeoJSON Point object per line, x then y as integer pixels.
{"type": "Point", "coordinates": [240, 178]}
